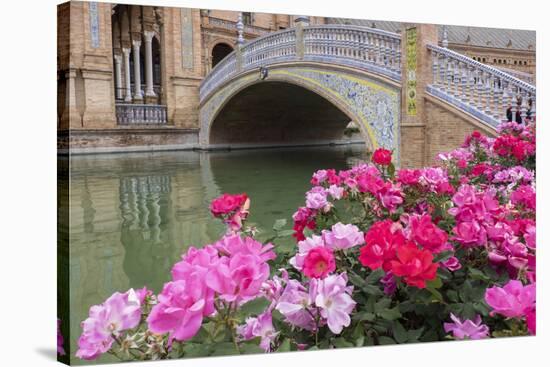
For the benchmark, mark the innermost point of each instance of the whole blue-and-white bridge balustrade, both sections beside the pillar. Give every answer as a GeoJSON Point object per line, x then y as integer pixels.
{"type": "Point", "coordinates": [489, 94]}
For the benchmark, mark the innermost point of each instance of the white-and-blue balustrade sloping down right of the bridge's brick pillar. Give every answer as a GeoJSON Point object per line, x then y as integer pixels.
{"type": "Point", "coordinates": [488, 93]}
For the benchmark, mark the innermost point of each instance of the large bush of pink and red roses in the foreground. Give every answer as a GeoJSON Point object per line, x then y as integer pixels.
{"type": "Point", "coordinates": [382, 257]}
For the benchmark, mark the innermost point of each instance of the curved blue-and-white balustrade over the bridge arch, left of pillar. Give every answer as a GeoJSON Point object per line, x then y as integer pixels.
{"type": "Point", "coordinates": [361, 47]}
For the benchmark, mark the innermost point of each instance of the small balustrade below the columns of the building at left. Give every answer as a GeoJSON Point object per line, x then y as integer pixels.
{"type": "Point", "coordinates": [135, 114]}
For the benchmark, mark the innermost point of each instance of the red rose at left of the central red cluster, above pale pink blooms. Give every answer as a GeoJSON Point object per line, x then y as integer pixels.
{"type": "Point", "coordinates": [381, 241]}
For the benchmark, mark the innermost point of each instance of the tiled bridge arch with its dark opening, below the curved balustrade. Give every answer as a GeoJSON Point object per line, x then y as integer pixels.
{"type": "Point", "coordinates": [300, 104]}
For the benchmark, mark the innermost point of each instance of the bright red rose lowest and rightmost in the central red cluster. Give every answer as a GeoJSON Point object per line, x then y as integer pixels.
{"type": "Point", "coordinates": [414, 265]}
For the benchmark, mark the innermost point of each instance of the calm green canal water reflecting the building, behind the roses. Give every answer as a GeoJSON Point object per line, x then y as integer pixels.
{"type": "Point", "coordinates": [133, 215]}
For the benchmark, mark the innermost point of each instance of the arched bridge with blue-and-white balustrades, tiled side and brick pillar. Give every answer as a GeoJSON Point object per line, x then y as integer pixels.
{"type": "Point", "coordinates": [304, 85]}
